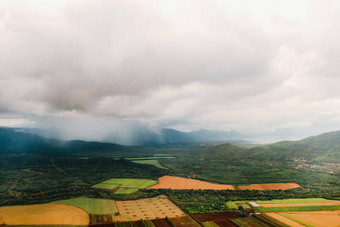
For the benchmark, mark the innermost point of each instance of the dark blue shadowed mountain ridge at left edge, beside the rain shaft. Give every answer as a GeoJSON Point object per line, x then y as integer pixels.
{"type": "Point", "coordinates": [13, 141]}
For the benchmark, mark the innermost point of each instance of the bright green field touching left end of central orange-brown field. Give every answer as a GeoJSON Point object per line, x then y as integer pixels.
{"type": "Point", "coordinates": [123, 184]}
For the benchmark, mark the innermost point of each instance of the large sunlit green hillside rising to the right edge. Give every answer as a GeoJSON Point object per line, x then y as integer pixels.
{"type": "Point", "coordinates": [322, 148]}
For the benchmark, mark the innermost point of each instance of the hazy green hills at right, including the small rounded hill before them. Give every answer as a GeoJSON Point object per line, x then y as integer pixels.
{"type": "Point", "coordinates": [322, 148]}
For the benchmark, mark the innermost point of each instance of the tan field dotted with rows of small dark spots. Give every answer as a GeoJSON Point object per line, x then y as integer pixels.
{"type": "Point", "coordinates": [146, 209]}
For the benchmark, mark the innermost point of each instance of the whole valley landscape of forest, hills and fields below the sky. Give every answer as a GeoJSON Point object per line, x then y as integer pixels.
{"type": "Point", "coordinates": [204, 186]}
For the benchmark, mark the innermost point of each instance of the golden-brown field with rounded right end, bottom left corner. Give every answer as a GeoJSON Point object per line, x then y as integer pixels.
{"type": "Point", "coordinates": [44, 214]}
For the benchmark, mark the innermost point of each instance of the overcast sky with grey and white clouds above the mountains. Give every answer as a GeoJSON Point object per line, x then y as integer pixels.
{"type": "Point", "coordinates": [92, 67]}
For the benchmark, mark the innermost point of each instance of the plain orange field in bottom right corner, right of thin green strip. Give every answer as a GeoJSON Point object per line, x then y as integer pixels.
{"type": "Point", "coordinates": [319, 218]}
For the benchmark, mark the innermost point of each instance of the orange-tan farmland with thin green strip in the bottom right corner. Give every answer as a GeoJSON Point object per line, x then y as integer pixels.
{"type": "Point", "coordinates": [310, 219]}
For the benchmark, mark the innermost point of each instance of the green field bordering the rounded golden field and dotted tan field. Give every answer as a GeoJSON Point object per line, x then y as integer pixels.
{"type": "Point", "coordinates": [92, 206]}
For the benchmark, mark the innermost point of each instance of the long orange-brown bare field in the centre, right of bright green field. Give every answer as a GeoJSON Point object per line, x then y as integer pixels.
{"type": "Point", "coordinates": [171, 182]}
